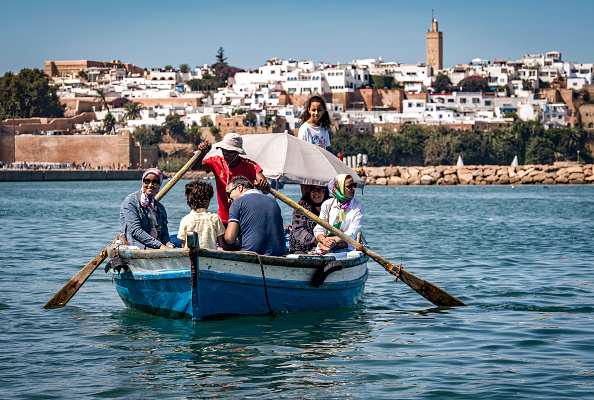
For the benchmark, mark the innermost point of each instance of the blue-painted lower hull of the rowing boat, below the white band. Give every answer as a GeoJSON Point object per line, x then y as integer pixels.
{"type": "Point", "coordinates": [168, 294]}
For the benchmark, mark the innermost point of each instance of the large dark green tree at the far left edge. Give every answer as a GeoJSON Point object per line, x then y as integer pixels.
{"type": "Point", "coordinates": [29, 94]}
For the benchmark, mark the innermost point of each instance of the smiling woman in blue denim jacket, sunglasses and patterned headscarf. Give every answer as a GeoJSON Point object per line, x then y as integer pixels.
{"type": "Point", "coordinates": [143, 219]}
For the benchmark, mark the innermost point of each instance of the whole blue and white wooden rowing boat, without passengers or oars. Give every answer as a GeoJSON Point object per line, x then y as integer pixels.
{"type": "Point", "coordinates": [160, 281]}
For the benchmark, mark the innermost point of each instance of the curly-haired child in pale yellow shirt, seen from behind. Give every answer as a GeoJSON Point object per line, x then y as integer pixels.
{"type": "Point", "coordinates": [206, 224]}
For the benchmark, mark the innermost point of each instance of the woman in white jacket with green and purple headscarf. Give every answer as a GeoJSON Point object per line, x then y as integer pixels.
{"type": "Point", "coordinates": [344, 212]}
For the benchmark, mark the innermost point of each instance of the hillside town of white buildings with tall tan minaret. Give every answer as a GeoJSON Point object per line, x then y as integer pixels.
{"type": "Point", "coordinates": [365, 95]}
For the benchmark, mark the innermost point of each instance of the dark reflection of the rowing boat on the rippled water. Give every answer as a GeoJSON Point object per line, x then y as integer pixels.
{"type": "Point", "coordinates": [262, 353]}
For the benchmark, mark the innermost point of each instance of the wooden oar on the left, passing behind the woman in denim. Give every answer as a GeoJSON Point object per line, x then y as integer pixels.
{"type": "Point", "coordinates": [69, 289]}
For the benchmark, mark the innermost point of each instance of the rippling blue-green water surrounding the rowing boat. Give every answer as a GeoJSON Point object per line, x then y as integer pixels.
{"type": "Point", "coordinates": [522, 259]}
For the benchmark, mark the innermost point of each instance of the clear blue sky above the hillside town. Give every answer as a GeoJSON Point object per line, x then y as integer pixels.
{"type": "Point", "coordinates": [156, 33]}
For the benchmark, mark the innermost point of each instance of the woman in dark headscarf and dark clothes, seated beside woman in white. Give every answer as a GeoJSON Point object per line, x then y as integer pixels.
{"type": "Point", "coordinates": [302, 239]}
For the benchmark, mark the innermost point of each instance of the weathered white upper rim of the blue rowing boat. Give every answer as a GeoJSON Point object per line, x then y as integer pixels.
{"type": "Point", "coordinates": [241, 256]}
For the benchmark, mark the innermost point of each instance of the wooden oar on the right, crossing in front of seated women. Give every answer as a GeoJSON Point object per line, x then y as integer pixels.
{"type": "Point", "coordinates": [435, 295]}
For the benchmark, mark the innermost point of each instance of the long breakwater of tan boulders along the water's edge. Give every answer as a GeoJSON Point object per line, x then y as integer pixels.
{"type": "Point", "coordinates": [481, 175]}
